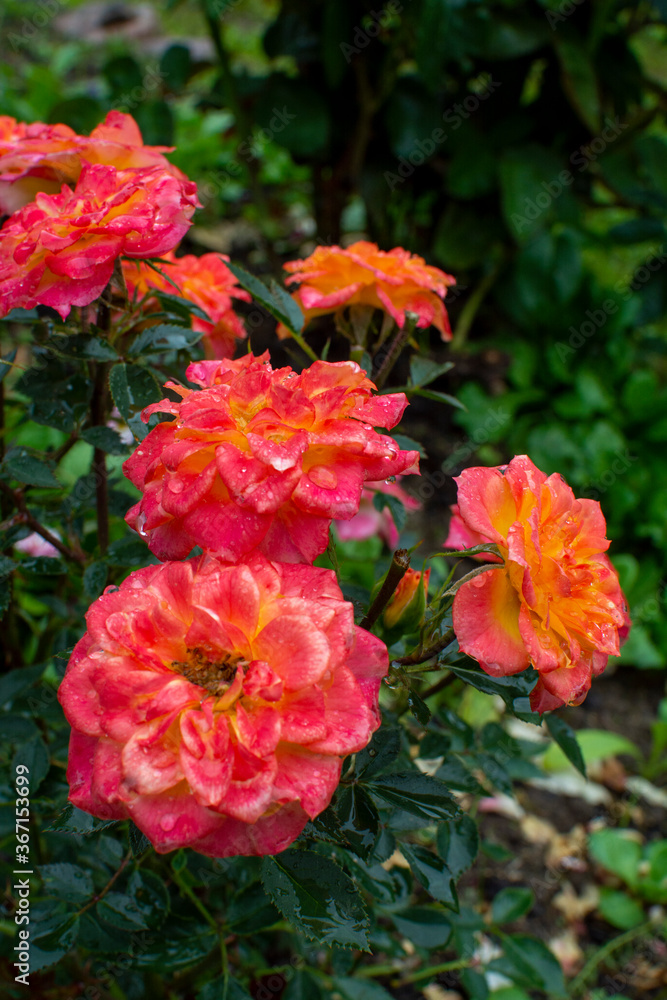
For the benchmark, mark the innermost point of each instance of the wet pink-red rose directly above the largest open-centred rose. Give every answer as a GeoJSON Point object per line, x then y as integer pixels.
{"type": "Point", "coordinates": [259, 457]}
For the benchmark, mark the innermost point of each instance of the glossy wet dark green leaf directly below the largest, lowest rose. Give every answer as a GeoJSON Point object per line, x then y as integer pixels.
{"type": "Point", "coordinates": [317, 897]}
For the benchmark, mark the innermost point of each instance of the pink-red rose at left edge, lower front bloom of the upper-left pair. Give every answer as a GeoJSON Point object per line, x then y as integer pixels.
{"type": "Point", "coordinates": [61, 249]}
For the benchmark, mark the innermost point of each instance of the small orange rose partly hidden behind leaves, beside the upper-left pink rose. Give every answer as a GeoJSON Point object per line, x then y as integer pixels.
{"type": "Point", "coordinates": [206, 281]}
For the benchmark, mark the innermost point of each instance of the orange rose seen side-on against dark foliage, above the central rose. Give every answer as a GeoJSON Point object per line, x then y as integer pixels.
{"type": "Point", "coordinates": [361, 274]}
